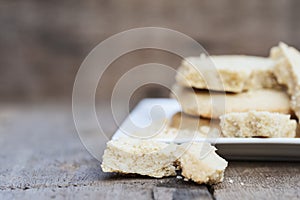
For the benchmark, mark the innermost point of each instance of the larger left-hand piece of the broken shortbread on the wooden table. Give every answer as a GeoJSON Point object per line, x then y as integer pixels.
{"type": "Point", "coordinates": [145, 157]}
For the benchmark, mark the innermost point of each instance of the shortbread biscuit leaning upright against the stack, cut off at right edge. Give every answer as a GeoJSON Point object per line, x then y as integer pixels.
{"type": "Point", "coordinates": [287, 71]}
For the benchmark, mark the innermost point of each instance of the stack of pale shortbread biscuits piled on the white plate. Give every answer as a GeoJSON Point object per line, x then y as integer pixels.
{"type": "Point", "coordinates": [251, 96]}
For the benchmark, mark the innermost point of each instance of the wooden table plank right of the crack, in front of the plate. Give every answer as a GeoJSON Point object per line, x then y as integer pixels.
{"type": "Point", "coordinates": [260, 180]}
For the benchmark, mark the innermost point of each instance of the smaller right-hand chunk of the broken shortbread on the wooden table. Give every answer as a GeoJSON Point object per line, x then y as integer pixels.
{"type": "Point", "coordinates": [201, 164]}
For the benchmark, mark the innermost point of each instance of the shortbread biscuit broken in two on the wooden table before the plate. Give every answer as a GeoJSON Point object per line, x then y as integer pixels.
{"type": "Point", "coordinates": [198, 161]}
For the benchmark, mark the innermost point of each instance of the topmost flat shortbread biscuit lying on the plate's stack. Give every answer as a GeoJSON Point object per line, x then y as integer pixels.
{"type": "Point", "coordinates": [231, 73]}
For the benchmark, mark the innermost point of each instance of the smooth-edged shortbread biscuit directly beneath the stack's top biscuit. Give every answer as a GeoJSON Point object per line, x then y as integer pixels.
{"type": "Point", "coordinates": [200, 103]}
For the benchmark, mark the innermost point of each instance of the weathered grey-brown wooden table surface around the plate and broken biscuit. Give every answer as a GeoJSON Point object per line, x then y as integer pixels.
{"type": "Point", "coordinates": [42, 157]}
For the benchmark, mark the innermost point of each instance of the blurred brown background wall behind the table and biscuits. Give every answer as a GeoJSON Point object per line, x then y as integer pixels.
{"type": "Point", "coordinates": [42, 43]}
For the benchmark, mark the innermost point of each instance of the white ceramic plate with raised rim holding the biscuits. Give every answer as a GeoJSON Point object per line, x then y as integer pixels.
{"type": "Point", "coordinates": [229, 148]}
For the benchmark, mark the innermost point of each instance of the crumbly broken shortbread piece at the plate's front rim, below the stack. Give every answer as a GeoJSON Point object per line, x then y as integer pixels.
{"type": "Point", "coordinates": [258, 124]}
